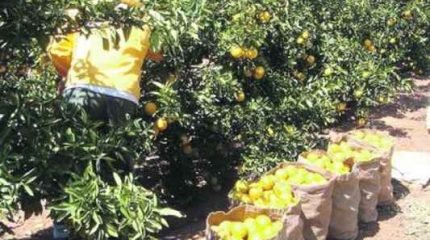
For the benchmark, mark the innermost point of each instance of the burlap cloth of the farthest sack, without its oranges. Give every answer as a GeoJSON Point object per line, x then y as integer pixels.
{"type": "Point", "coordinates": [385, 196]}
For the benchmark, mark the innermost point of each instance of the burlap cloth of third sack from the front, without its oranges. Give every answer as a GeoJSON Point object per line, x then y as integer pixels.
{"type": "Point", "coordinates": [316, 202]}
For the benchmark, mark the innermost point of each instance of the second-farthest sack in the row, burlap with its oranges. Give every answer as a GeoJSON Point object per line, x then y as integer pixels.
{"type": "Point", "coordinates": [367, 163]}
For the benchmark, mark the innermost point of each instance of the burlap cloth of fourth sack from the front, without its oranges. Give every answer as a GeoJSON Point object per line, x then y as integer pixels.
{"type": "Point", "coordinates": [346, 201]}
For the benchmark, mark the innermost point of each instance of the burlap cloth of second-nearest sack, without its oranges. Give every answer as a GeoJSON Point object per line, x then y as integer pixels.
{"type": "Point", "coordinates": [293, 222]}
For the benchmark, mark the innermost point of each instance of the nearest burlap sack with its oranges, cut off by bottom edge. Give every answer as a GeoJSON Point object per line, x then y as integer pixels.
{"type": "Point", "coordinates": [246, 223]}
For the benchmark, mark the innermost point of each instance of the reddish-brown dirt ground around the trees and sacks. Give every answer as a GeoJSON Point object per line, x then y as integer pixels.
{"type": "Point", "coordinates": [408, 219]}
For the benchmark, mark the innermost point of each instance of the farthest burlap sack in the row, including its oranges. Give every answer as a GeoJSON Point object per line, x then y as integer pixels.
{"type": "Point", "coordinates": [383, 143]}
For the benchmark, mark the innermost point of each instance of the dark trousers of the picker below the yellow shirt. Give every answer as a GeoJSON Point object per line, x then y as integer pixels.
{"type": "Point", "coordinates": [101, 107]}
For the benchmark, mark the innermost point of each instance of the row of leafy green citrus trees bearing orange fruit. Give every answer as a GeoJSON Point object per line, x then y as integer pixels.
{"type": "Point", "coordinates": [245, 85]}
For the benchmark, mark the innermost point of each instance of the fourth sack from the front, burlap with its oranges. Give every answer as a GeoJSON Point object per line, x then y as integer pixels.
{"type": "Point", "coordinates": [346, 193]}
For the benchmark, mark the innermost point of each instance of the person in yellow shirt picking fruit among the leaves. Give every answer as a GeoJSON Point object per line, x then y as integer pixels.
{"type": "Point", "coordinates": [102, 75]}
